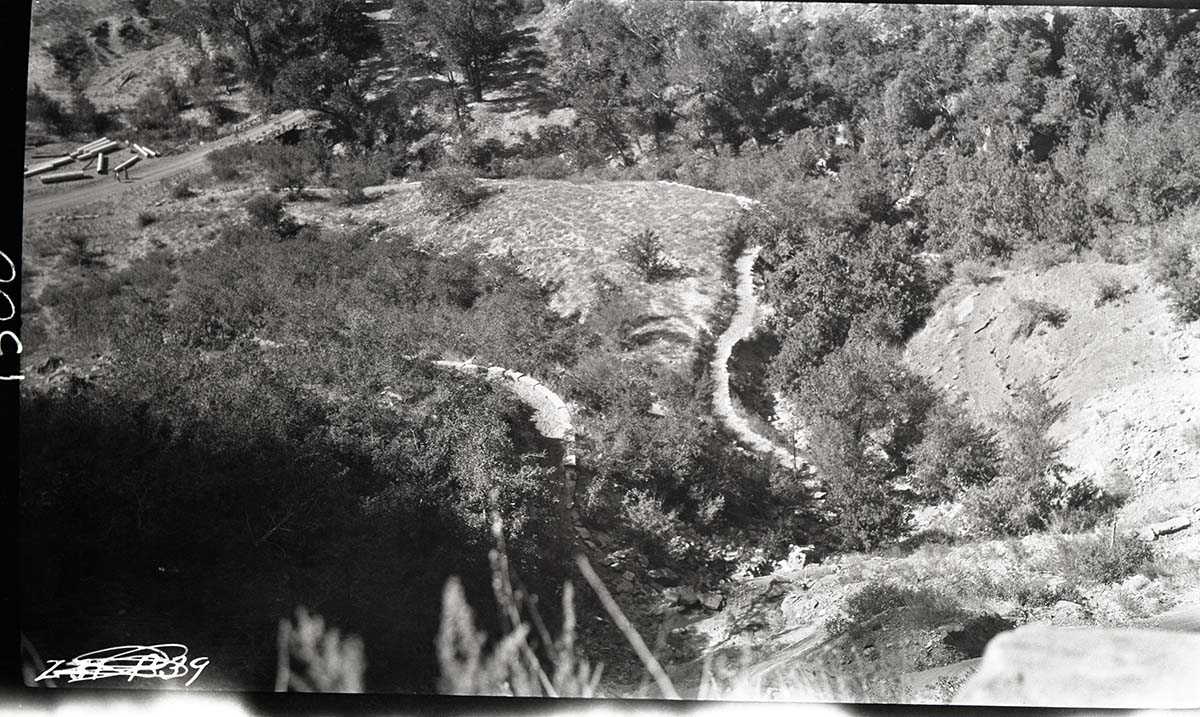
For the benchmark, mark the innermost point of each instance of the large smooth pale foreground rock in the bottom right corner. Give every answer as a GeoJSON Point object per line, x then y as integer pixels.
{"type": "Point", "coordinates": [1088, 667]}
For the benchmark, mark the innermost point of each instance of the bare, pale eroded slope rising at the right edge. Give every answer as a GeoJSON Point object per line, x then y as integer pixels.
{"type": "Point", "coordinates": [1130, 373]}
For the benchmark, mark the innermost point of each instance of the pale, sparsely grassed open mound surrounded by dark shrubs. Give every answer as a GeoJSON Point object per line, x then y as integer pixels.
{"type": "Point", "coordinates": [566, 234]}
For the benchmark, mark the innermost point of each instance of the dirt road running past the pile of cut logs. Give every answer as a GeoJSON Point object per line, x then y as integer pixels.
{"type": "Point", "coordinates": [147, 173]}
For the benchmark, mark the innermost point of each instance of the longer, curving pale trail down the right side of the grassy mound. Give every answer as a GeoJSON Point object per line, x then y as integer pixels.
{"type": "Point", "coordinates": [741, 328]}
